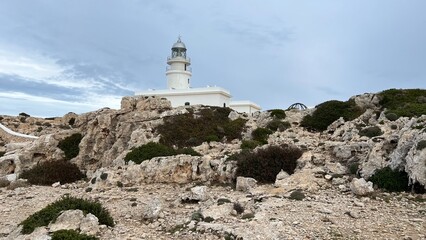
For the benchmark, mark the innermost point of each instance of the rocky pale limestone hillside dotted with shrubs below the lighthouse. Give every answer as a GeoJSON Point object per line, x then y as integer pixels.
{"type": "Point", "coordinates": [170, 173]}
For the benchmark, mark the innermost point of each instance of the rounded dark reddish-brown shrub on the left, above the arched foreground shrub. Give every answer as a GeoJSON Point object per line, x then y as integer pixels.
{"type": "Point", "coordinates": [47, 173]}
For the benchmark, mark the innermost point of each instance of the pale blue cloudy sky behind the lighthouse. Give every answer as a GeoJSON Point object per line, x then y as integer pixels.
{"type": "Point", "coordinates": [60, 56]}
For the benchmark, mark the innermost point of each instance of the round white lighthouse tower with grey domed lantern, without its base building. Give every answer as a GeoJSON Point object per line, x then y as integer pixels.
{"type": "Point", "coordinates": [178, 72]}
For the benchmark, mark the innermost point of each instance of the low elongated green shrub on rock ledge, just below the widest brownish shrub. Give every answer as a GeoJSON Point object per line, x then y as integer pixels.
{"type": "Point", "coordinates": [152, 149]}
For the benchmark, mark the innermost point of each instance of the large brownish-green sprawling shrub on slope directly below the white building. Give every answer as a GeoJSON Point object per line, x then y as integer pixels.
{"type": "Point", "coordinates": [192, 129]}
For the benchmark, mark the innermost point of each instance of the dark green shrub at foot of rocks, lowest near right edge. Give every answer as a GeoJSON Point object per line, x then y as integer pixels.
{"type": "Point", "coordinates": [391, 180]}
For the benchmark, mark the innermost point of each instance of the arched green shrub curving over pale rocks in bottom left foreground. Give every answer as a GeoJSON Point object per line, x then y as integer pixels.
{"type": "Point", "coordinates": [53, 210]}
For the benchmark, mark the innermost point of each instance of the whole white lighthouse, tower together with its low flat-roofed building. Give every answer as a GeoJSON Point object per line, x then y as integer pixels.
{"type": "Point", "coordinates": [180, 93]}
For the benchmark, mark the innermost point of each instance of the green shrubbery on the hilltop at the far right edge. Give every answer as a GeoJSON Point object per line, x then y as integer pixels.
{"type": "Point", "coordinates": [404, 102]}
